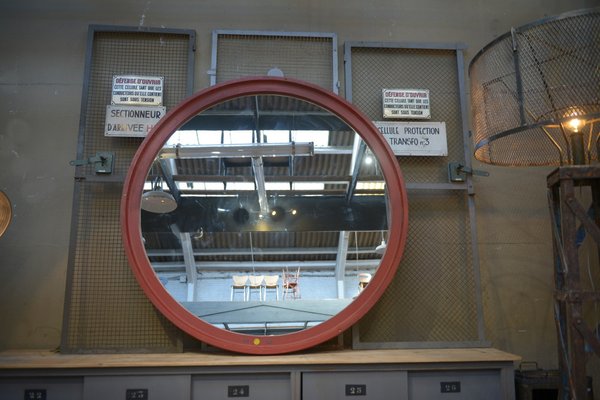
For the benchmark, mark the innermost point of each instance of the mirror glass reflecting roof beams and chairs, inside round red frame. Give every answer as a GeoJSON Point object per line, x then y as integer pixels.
{"type": "Point", "coordinates": [280, 218]}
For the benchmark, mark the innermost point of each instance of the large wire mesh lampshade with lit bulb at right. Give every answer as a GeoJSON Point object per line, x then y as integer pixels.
{"type": "Point", "coordinates": [535, 93]}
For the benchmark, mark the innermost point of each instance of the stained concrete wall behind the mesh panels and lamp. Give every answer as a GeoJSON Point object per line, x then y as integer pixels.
{"type": "Point", "coordinates": [42, 47]}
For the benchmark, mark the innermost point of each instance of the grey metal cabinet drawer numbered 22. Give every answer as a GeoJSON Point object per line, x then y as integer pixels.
{"type": "Point", "coordinates": [60, 388]}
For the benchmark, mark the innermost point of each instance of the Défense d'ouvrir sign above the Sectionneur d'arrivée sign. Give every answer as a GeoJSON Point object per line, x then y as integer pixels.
{"type": "Point", "coordinates": [137, 90]}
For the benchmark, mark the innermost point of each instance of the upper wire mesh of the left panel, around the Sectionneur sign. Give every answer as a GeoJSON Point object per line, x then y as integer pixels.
{"type": "Point", "coordinates": [130, 53]}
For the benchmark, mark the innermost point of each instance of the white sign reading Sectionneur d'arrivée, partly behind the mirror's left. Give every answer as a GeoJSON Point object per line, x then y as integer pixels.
{"type": "Point", "coordinates": [131, 121]}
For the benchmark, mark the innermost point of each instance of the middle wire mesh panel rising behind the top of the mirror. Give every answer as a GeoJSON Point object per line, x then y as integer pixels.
{"type": "Point", "coordinates": [308, 57]}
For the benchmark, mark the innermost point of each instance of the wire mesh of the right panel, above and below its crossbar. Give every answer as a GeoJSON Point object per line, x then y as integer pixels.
{"type": "Point", "coordinates": [435, 296]}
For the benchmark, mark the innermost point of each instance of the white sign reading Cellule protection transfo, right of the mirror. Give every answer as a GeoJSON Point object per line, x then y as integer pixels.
{"type": "Point", "coordinates": [415, 138]}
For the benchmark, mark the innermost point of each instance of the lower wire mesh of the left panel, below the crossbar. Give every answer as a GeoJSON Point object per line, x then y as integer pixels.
{"type": "Point", "coordinates": [108, 310]}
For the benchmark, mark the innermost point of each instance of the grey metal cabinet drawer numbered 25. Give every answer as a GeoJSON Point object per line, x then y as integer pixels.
{"type": "Point", "coordinates": [383, 385]}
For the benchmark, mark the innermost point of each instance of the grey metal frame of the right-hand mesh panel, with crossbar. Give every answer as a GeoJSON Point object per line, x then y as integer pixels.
{"type": "Point", "coordinates": [467, 186]}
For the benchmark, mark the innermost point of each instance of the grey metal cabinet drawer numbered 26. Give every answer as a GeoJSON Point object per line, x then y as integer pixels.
{"type": "Point", "coordinates": [471, 385]}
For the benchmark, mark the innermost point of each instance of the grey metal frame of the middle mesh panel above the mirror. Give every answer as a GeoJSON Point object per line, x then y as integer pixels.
{"type": "Point", "coordinates": [215, 40]}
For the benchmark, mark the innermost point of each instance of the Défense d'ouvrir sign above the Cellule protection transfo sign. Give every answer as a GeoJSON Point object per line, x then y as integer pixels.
{"type": "Point", "coordinates": [406, 103]}
